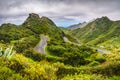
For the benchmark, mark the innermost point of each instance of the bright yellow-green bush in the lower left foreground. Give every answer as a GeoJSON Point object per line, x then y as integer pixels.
{"type": "Point", "coordinates": [30, 69]}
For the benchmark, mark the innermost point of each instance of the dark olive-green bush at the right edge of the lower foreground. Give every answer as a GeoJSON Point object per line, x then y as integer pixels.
{"type": "Point", "coordinates": [108, 69]}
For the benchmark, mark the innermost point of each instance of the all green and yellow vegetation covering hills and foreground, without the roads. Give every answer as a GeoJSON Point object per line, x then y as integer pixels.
{"type": "Point", "coordinates": [64, 60]}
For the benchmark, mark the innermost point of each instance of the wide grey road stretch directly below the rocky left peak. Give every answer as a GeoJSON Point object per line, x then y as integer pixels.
{"type": "Point", "coordinates": [40, 47]}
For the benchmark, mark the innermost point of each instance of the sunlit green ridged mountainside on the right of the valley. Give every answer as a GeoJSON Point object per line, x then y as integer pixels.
{"type": "Point", "coordinates": [102, 30]}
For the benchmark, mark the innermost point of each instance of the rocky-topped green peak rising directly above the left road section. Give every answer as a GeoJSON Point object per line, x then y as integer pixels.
{"type": "Point", "coordinates": [43, 25]}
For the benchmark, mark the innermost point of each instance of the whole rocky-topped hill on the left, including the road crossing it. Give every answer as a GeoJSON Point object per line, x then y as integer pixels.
{"type": "Point", "coordinates": [41, 35]}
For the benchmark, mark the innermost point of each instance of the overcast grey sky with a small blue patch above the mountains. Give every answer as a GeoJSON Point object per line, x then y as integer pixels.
{"type": "Point", "coordinates": [62, 12]}
